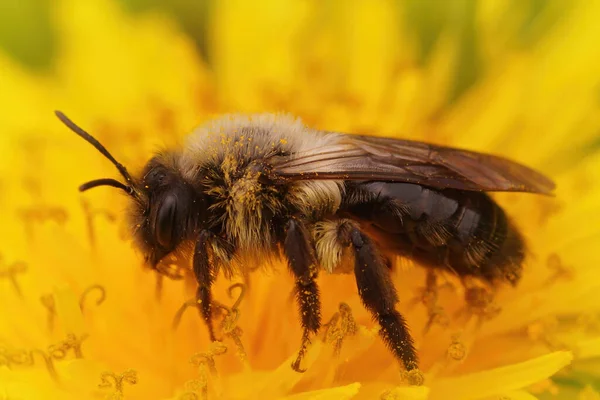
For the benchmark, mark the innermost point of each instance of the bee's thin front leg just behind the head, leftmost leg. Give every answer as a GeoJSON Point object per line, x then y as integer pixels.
{"type": "Point", "coordinates": [205, 276]}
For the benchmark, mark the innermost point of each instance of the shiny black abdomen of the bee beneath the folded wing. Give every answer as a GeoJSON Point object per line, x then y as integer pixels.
{"type": "Point", "coordinates": [463, 231]}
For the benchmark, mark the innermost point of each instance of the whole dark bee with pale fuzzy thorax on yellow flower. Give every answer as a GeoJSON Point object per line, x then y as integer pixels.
{"type": "Point", "coordinates": [258, 186]}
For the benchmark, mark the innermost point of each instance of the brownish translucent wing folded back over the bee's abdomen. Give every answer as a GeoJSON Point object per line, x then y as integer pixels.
{"type": "Point", "coordinates": [356, 157]}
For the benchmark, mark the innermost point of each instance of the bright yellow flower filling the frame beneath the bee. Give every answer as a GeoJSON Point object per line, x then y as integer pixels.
{"type": "Point", "coordinates": [81, 318]}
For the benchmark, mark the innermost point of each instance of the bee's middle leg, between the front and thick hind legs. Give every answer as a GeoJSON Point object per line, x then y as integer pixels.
{"type": "Point", "coordinates": [302, 262]}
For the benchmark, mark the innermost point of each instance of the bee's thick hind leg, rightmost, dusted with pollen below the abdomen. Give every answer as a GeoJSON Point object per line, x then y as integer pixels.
{"type": "Point", "coordinates": [378, 294]}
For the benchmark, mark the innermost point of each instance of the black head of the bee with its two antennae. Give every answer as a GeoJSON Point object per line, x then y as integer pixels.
{"type": "Point", "coordinates": [165, 211]}
